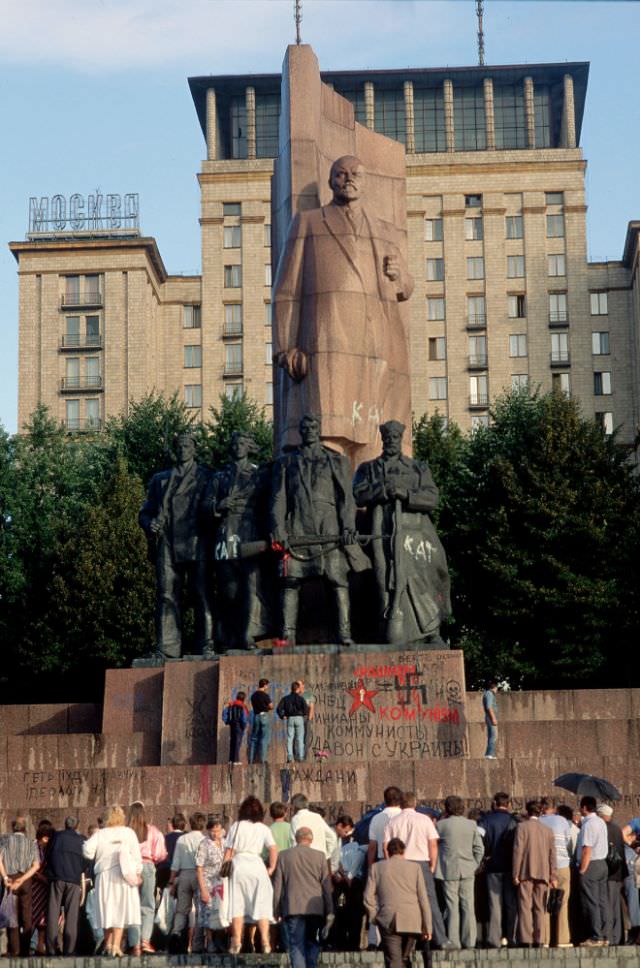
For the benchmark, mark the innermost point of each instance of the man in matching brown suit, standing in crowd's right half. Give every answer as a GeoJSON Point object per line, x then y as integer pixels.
{"type": "Point", "coordinates": [534, 871]}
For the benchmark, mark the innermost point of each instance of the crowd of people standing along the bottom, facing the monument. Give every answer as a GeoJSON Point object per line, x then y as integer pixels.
{"type": "Point", "coordinates": [403, 875]}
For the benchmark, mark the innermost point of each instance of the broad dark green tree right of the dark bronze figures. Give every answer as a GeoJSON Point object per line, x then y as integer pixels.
{"type": "Point", "coordinates": [535, 529]}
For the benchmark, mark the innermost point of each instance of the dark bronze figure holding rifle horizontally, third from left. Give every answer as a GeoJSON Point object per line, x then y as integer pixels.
{"type": "Point", "coordinates": [312, 509]}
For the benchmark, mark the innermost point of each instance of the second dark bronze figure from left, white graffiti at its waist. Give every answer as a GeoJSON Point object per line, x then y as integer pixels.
{"type": "Point", "coordinates": [238, 500]}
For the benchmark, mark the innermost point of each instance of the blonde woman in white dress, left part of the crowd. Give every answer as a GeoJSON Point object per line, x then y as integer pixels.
{"type": "Point", "coordinates": [117, 901]}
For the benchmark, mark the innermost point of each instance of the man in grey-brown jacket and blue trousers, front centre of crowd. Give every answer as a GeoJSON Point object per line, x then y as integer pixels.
{"type": "Point", "coordinates": [302, 896]}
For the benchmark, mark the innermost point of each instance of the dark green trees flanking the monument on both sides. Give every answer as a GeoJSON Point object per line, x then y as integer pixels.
{"type": "Point", "coordinates": [539, 515]}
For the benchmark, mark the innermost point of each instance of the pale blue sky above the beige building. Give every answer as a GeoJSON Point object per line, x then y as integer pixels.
{"type": "Point", "coordinates": [93, 94]}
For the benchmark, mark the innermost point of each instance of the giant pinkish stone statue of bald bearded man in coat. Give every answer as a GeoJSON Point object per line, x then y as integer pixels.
{"type": "Point", "coordinates": [338, 333]}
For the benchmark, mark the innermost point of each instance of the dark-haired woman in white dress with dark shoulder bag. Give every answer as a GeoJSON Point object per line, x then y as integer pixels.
{"type": "Point", "coordinates": [251, 891]}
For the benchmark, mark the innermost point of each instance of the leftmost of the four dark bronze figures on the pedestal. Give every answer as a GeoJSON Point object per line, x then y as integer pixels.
{"type": "Point", "coordinates": [174, 521]}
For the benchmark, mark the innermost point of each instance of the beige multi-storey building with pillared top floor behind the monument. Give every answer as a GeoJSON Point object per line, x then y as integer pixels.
{"type": "Point", "coordinates": [504, 297]}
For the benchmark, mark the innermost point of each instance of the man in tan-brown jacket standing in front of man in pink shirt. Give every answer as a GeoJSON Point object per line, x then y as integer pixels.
{"type": "Point", "coordinates": [396, 900]}
